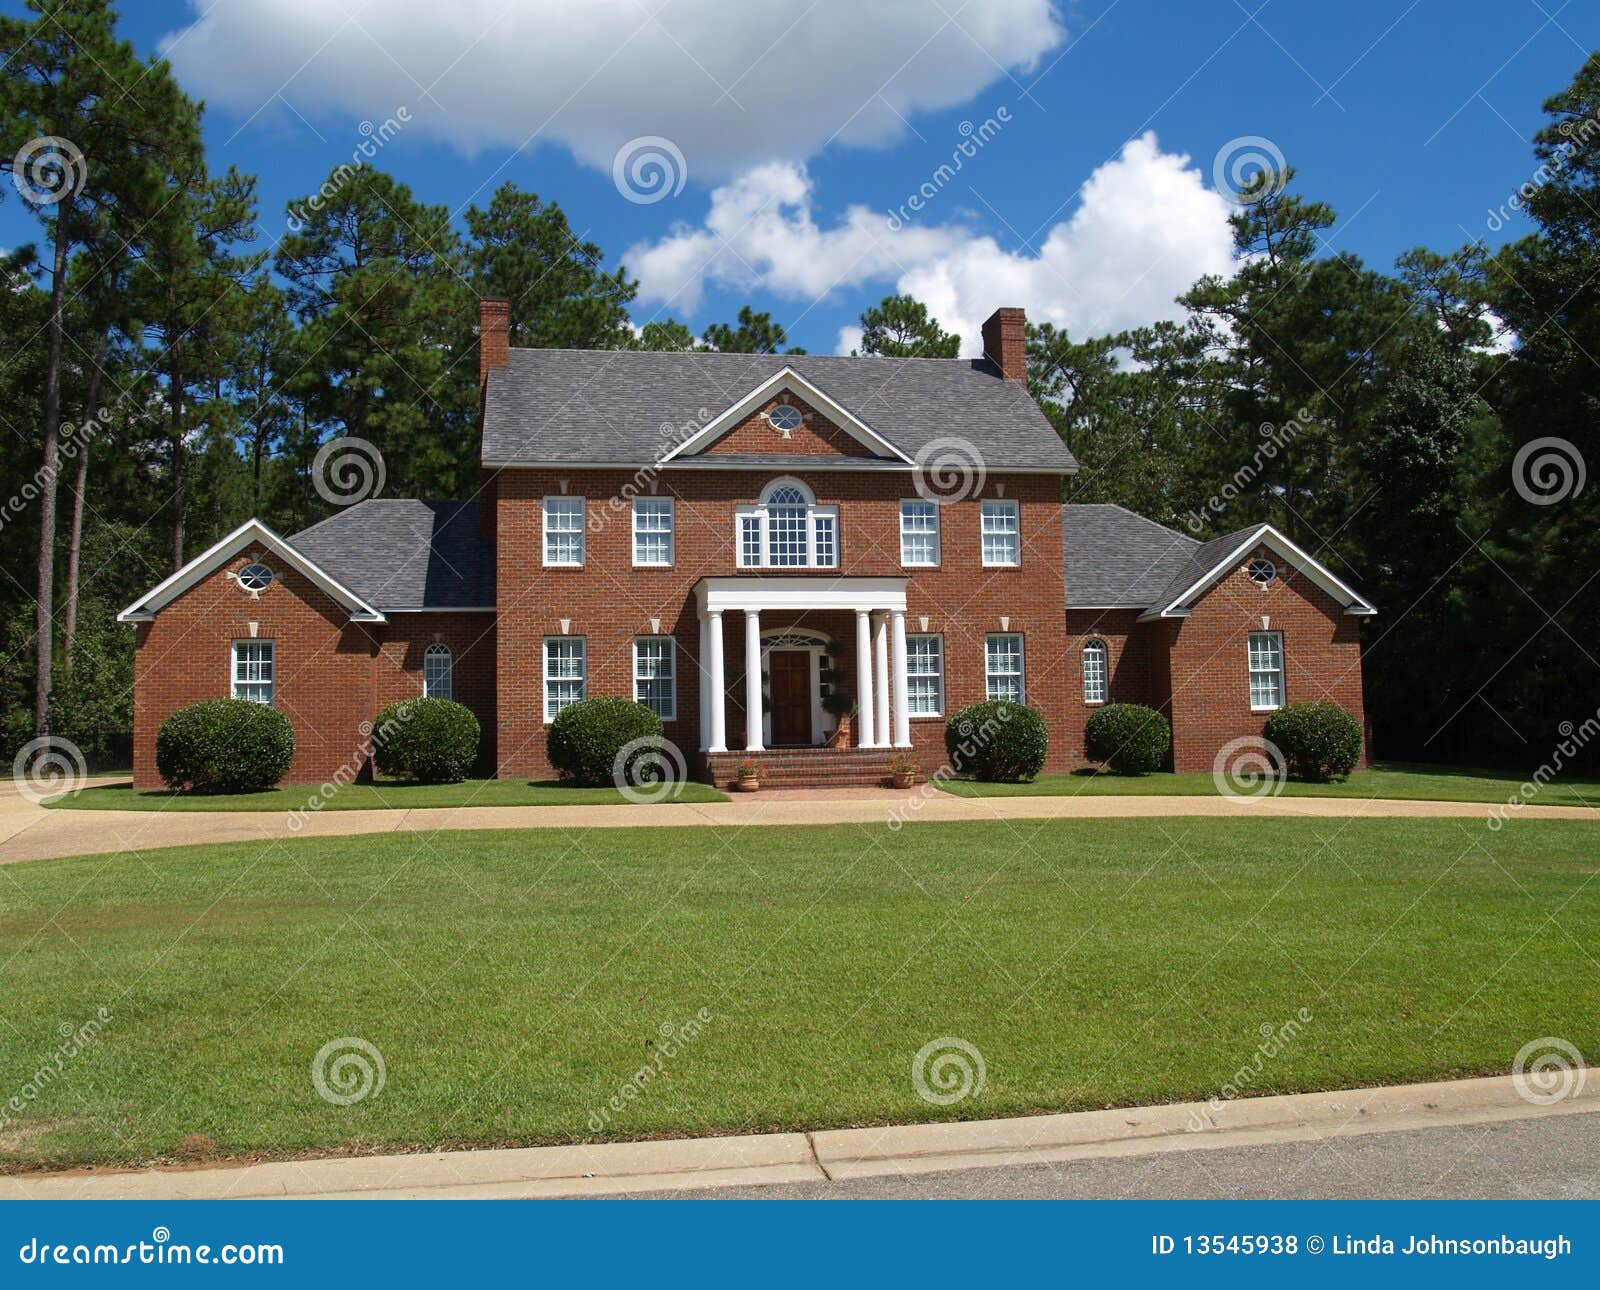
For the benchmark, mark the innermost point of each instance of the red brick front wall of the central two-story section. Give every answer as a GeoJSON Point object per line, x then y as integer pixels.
{"type": "Point", "coordinates": [610, 603]}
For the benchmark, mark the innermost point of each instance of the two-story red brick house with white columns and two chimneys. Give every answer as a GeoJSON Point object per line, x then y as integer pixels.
{"type": "Point", "coordinates": [724, 537]}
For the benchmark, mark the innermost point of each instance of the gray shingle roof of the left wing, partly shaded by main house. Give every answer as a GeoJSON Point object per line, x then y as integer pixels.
{"type": "Point", "coordinates": [406, 553]}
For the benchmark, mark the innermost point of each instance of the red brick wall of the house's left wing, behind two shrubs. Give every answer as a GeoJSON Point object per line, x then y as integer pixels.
{"type": "Point", "coordinates": [332, 675]}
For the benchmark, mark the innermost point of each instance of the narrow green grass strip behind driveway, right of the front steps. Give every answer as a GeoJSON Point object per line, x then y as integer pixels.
{"type": "Point", "coordinates": [1393, 780]}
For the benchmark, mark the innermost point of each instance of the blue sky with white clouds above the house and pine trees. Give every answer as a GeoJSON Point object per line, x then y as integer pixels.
{"type": "Point", "coordinates": [802, 126]}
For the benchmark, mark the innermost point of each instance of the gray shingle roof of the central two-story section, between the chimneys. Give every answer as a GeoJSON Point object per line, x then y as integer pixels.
{"type": "Point", "coordinates": [628, 407]}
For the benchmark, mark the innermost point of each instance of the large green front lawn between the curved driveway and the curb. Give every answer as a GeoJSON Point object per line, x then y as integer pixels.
{"type": "Point", "coordinates": [516, 982]}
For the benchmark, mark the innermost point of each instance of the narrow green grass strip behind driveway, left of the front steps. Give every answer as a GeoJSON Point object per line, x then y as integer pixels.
{"type": "Point", "coordinates": [370, 798]}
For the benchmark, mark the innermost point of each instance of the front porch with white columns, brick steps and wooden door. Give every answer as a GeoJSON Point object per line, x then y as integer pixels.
{"type": "Point", "coordinates": [798, 662]}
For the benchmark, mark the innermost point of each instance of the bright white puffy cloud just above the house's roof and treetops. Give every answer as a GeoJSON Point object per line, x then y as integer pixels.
{"type": "Point", "coordinates": [1145, 230]}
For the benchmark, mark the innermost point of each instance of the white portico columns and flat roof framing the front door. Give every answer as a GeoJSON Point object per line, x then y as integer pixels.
{"type": "Point", "coordinates": [879, 609]}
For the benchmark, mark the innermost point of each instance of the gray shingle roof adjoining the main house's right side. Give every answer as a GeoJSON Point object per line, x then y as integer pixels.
{"type": "Point", "coordinates": [1119, 559]}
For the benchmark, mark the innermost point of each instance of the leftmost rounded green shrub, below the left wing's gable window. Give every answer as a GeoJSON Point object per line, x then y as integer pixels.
{"type": "Point", "coordinates": [225, 747]}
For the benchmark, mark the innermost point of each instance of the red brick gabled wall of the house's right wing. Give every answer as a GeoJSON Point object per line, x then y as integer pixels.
{"type": "Point", "coordinates": [1209, 660]}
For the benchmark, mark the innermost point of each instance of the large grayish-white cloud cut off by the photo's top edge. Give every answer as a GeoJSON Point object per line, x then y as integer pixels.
{"type": "Point", "coordinates": [730, 82]}
